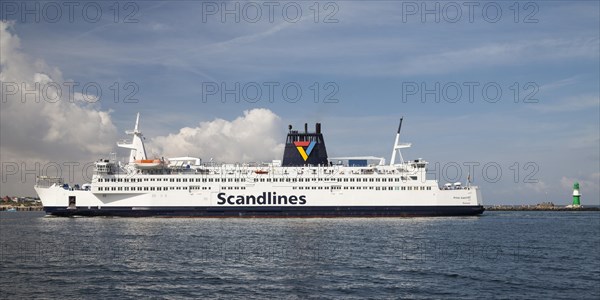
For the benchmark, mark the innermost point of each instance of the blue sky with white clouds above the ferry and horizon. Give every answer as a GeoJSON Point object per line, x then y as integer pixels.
{"type": "Point", "coordinates": [504, 92]}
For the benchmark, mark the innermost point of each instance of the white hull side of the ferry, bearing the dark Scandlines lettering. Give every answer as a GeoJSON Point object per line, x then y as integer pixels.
{"type": "Point", "coordinates": [337, 191]}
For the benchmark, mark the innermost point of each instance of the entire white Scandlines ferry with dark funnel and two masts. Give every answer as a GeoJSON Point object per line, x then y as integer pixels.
{"type": "Point", "coordinates": [305, 183]}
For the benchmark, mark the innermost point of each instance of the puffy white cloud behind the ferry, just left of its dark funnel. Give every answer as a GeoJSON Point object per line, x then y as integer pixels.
{"type": "Point", "coordinates": [255, 136]}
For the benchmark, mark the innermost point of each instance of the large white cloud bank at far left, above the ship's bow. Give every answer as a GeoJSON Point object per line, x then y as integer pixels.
{"type": "Point", "coordinates": [39, 124]}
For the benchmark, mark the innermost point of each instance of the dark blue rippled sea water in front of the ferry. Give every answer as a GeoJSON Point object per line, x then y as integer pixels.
{"type": "Point", "coordinates": [503, 255]}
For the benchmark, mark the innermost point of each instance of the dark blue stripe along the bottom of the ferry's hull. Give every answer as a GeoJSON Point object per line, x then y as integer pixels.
{"type": "Point", "coordinates": [272, 211]}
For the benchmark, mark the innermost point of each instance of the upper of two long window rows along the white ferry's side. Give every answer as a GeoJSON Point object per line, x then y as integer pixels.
{"type": "Point", "coordinates": [258, 179]}
